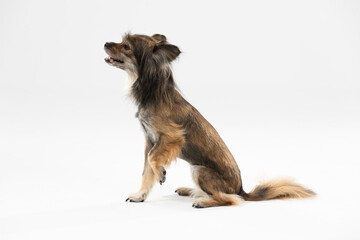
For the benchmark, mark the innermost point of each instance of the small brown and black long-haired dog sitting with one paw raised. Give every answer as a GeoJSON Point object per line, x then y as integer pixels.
{"type": "Point", "coordinates": [175, 129]}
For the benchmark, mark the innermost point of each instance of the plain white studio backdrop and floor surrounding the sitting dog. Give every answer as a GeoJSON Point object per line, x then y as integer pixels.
{"type": "Point", "coordinates": [279, 80]}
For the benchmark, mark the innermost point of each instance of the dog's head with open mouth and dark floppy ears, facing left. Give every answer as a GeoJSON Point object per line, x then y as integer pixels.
{"type": "Point", "coordinates": [137, 52]}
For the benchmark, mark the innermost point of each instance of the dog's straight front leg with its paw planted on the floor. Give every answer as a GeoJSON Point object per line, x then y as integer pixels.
{"type": "Point", "coordinates": [148, 179]}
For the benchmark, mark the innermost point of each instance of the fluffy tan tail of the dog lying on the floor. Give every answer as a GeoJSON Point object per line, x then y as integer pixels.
{"type": "Point", "coordinates": [277, 189]}
